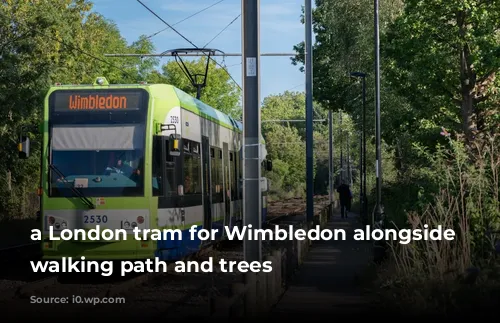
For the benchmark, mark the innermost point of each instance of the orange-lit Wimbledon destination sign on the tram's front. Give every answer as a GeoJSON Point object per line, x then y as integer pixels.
{"type": "Point", "coordinates": [97, 100]}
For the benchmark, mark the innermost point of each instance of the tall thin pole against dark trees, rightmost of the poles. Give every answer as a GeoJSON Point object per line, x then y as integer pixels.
{"type": "Point", "coordinates": [378, 165]}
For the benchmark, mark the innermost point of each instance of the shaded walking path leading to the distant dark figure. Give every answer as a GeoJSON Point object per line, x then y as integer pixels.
{"type": "Point", "coordinates": [329, 278]}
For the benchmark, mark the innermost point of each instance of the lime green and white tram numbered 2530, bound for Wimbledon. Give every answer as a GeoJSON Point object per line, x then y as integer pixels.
{"type": "Point", "coordinates": [142, 155]}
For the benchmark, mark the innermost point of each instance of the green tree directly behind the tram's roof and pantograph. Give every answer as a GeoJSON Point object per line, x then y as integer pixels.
{"type": "Point", "coordinates": [220, 92]}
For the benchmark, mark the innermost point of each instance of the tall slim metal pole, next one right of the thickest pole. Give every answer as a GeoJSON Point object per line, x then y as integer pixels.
{"type": "Point", "coordinates": [309, 112]}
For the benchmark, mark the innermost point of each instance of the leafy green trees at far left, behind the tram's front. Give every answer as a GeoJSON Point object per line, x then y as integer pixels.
{"type": "Point", "coordinates": [43, 43]}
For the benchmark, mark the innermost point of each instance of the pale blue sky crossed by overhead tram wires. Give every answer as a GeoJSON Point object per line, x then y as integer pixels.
{"type": "Point", "coordinates": [280, 30]}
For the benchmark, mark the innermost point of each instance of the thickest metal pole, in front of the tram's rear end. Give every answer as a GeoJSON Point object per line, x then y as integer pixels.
{"type": "Point", "coordinates": [251, 126]}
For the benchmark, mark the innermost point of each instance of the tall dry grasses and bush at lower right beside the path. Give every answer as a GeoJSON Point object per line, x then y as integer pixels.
{"type": "Point", "coordinates": [447, 276]}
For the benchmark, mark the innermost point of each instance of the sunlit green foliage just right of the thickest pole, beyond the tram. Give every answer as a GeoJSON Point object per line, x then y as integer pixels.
{"type": "Point", "coordinates": [286, 144]}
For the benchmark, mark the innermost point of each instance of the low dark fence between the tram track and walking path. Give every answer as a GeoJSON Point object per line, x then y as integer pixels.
{"type": "Point", "coordinates": [257, 293]}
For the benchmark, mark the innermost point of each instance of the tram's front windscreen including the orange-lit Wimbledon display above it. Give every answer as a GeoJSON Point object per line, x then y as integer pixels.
{"type": "Point", "coordinates": [98, 151]}
